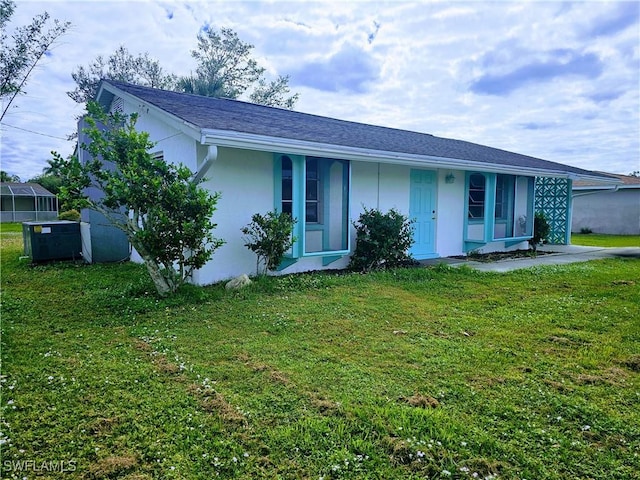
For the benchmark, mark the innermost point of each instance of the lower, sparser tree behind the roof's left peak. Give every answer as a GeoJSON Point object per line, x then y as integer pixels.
{"type": "Point", "coordinates": [122, 66]}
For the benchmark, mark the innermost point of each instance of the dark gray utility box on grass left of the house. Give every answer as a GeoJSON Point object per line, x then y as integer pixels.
{"type": "Point", "coordinates": [45, 241]}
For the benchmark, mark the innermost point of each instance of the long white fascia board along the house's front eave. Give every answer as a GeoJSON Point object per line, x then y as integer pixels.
{"type": "Point", "coordinates": [225, 138]}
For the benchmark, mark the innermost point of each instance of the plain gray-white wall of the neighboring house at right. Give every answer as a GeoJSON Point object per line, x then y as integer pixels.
{"type": "Point", "coordinates": [616, 213]}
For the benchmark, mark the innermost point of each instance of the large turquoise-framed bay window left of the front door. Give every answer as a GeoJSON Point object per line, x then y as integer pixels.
{"type": "Point", "coordinates": [318, 190]}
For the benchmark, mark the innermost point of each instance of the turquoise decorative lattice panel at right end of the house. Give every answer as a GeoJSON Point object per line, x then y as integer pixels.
{"type": "Point", "coordinates": [553, 198]}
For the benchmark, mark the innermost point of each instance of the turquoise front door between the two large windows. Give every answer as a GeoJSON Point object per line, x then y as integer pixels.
{"type": "Point", "coordinates": [422, 208]}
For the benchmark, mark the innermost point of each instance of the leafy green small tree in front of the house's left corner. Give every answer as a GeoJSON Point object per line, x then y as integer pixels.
{"type": "Point", "coordinates": [164, 213]}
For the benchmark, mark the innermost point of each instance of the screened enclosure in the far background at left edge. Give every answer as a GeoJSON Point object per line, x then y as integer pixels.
{"type": "Point", "coordinates": [23, 202]}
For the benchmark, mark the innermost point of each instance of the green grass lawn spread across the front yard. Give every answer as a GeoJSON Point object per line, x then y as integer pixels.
{"type": "Point", "coordinates": [405, 374]}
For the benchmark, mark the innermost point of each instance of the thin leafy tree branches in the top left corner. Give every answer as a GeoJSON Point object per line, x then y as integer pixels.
{"type": "Point", "coordinates": [19, 56]}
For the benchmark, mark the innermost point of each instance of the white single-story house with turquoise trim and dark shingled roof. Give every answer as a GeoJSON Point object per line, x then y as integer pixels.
{"type": "Point", "coordinates": [463, 196]}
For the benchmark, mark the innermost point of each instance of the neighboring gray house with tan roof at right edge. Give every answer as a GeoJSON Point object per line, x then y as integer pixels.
{"type": "Point", "coordinates": [612, 209]}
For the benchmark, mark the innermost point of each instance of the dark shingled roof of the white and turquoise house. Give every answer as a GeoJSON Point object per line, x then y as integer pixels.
{"type": "Point", "coordinates": [237, 116]}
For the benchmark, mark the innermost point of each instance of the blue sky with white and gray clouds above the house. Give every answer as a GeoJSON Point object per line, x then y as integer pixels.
{"type": "Point", "coordinates": [555, 80]}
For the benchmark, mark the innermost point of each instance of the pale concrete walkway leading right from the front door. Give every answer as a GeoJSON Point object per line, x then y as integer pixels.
{"type": "Point", "coordinates": [562, 255]}
